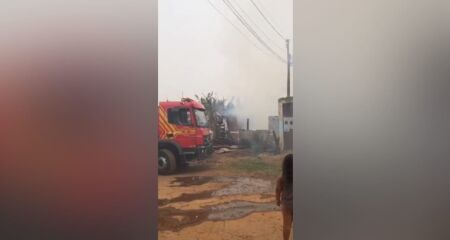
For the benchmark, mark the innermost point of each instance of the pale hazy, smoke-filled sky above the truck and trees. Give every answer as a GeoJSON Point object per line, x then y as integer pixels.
{"type": "Point", "coordinates": [200, 52]}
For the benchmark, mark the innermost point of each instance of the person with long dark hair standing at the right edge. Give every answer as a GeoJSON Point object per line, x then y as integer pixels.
{"type": "Point", "coordinates": [284, 195]}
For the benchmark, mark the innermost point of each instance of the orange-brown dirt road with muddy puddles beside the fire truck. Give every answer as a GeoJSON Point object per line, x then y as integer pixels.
{"type": "Point", "coordinates": [228, 197]}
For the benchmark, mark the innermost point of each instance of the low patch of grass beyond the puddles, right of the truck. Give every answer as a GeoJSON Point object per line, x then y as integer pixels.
{"type": "Point", "coordinates": [255, 166]}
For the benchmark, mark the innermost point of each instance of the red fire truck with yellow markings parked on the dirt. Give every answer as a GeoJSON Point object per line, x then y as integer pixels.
{"type": "Point", "coordinates": [184, 134]}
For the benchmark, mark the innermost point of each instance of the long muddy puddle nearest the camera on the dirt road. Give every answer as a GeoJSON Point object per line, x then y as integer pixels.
{"type": "Point", "coordinates": [172, 219]}
